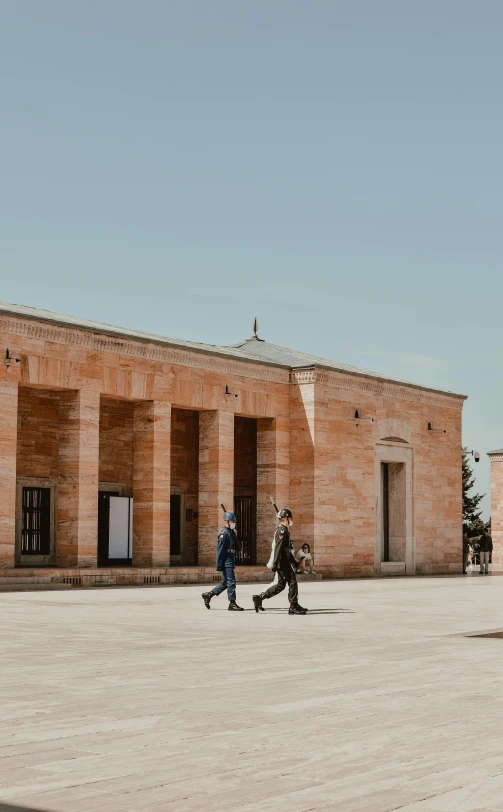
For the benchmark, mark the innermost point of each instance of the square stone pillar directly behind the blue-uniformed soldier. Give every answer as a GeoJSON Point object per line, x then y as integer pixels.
{"type": "Point", "coordinates": [216, 477]}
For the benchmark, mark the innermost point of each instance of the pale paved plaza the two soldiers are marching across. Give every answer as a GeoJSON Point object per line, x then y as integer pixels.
{"type": "Point", "coordinates": [140, 699]}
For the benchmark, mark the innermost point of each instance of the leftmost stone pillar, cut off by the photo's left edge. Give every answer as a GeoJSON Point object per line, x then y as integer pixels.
{"type": "Point", "coordinates": [8, 453]}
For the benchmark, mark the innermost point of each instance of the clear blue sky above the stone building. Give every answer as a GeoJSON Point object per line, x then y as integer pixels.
{"type": "Point", "coordinates": [334, 168]}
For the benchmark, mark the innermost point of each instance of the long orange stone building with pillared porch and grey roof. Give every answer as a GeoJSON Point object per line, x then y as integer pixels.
{"type": "Point", "coordinates": [117, 446]}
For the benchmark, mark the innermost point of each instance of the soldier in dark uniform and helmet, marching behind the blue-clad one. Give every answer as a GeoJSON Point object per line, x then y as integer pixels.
{"type": "Point", "coordinates": [285, 565]}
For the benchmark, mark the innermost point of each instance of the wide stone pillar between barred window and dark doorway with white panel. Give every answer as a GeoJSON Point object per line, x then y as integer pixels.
{"type": "Point", "coordinates": [77, 511]}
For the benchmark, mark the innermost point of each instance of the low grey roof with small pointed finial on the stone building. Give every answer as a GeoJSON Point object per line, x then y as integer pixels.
{"type": "Point", "coordinates": [253, 349]}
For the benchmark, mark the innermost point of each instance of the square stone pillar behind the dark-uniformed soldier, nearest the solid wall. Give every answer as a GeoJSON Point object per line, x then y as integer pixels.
{"type": "Point", "coordinates": [272, 480]}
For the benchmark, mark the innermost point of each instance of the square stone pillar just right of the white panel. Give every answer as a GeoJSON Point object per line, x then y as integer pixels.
{"type": "Point", "coordinates": [151, 483]}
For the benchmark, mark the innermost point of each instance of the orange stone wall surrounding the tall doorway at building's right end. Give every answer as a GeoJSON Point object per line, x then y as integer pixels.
{"type": "Point", "coordinates": [346, 484]}
